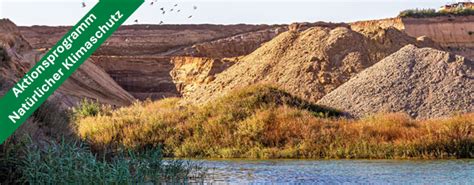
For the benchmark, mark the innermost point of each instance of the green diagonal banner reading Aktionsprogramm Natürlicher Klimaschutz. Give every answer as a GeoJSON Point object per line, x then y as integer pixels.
{"type": "Point", "coordinates": [61, 61]}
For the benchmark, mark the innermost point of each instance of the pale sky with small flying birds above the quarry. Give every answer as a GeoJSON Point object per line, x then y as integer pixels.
{"type": "Point", "coordinates": [69, 12]}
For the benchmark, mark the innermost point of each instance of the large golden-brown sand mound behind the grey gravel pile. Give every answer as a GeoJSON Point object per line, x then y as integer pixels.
{"type": "Point", "coordinates": [308, 64]}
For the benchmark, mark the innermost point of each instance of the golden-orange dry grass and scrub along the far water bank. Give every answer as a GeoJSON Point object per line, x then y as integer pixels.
{"type": "Point", "coordinates": [262, 122]}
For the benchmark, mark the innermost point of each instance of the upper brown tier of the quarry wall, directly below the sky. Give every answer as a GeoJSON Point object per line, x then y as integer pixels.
{"type": "Point", "coordinates": [139, 40]}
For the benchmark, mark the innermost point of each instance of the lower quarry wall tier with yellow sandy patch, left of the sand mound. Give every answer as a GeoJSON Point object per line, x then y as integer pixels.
{"type": "Point", "coordinates": [157, 77]}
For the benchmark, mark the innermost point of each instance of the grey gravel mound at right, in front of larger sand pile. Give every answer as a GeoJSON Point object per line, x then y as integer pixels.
{"type": "Point", "coordinates": [425, 83]}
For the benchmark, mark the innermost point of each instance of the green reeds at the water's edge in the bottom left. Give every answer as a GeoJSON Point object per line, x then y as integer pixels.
{"type": "Point", "coordinates": [72, 163]}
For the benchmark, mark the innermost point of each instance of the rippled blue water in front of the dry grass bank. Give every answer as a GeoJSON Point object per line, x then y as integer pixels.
{"type": "Point", "coordinates": [340, 171]}
